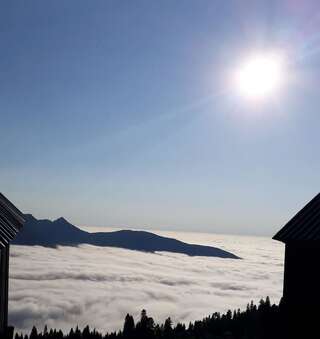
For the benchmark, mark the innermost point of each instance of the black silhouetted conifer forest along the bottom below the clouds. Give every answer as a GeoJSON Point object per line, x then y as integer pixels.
{"type": "Point", "coordinates": [256, 322]}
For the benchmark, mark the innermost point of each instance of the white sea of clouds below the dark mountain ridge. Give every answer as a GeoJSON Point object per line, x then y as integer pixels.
{"type": "Point", "coordinates": [71, 286]}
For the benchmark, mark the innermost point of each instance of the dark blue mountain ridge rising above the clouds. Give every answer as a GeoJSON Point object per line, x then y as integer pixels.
{"type": "Point", "coordinates": [61, 232]}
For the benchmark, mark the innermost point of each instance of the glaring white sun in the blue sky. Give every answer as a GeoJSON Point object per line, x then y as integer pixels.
{"type": "Point", "coordinates": [260, 76]}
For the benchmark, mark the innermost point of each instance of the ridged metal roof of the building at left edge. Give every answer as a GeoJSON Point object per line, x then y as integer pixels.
{"type": "Point", "coordinates": [11, 221]}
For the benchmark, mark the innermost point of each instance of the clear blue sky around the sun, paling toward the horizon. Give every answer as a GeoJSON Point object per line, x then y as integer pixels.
{"type": "Point", "coordinates": [121, 113]}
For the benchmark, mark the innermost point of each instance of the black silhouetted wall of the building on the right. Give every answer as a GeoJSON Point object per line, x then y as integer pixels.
{"type": "Point", "coordinates": [301, 291]}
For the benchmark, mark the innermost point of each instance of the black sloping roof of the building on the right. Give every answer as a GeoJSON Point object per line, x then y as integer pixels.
{"type": "Point", "coordinates": [304, 226]}
